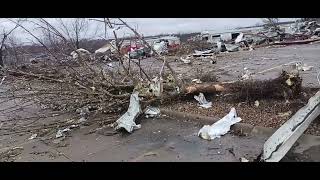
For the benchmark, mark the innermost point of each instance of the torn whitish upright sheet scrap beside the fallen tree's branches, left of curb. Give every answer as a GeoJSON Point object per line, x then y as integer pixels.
{"type": "Point", "coordinates": [127, 121]}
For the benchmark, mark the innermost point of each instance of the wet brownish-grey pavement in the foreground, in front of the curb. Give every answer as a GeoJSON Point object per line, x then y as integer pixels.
{"type": "Point", "coordinates": [157, 140]}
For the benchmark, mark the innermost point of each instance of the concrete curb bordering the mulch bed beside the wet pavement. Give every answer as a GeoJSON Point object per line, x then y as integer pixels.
{"type": "Point", "coordinates": [304, 142]}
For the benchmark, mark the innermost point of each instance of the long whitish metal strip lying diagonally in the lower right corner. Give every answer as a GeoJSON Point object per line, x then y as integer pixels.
{"type": "Point", "coordinates": [284, 138]}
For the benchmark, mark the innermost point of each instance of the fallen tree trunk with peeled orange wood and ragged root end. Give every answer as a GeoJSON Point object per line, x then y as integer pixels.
{"type": "Point", "coordinates": [285, 86]}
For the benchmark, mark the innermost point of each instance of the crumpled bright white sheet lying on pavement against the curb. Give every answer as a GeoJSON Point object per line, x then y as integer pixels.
{"type": "Point", "coordinates": [221, 127]}
